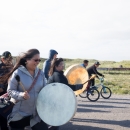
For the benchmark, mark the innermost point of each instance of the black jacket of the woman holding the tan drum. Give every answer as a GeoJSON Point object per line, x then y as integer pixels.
{"type": "Point", "coordinates": [60, 78]}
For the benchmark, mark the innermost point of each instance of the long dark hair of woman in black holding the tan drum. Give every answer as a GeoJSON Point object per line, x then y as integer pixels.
{"type": "Point", "coordinates": [54, 63]}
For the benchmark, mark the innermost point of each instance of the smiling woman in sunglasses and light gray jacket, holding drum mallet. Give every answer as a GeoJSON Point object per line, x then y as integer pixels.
{"type": "Point", "coordinates": [24, 112]}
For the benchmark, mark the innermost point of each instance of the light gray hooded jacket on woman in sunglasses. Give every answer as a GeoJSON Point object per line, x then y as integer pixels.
{"type": "Point", "coordinates": [25, 107]}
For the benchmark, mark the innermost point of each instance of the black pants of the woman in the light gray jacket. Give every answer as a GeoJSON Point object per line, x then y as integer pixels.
{"type": "Point", "coordinates": [21, 124]}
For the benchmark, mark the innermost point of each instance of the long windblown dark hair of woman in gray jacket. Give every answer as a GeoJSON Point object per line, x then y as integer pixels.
{"type": "Point", "coordinates": [21, 60]}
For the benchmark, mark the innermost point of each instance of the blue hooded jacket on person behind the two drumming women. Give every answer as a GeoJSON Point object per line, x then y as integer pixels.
{"type": "Point", "coordinates": [47, 63]}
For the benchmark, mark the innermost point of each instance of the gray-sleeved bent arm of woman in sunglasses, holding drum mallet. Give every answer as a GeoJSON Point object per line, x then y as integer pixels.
{"type": "Point", "coordinates": [12, 89]}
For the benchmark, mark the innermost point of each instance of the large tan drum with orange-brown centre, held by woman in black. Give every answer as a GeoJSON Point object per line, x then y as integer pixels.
{"type": "Point", "coordinates": [76, 74]}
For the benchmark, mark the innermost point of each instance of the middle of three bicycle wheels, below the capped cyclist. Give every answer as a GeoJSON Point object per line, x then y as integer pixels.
{"type": "Point", "coordinates": [93, 94]}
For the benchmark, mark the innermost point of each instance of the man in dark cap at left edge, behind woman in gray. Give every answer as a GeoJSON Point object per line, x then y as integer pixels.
{"type": "Point", "coordinates": [5, 67]}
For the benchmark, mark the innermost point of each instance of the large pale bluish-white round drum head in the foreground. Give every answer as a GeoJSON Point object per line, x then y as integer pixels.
{"type": "Point", "coordinates": [56, 104]}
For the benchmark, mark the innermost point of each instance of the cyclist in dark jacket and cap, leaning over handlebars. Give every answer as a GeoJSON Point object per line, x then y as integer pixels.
{"type": "Point", "coordinates": [93, 70]}
